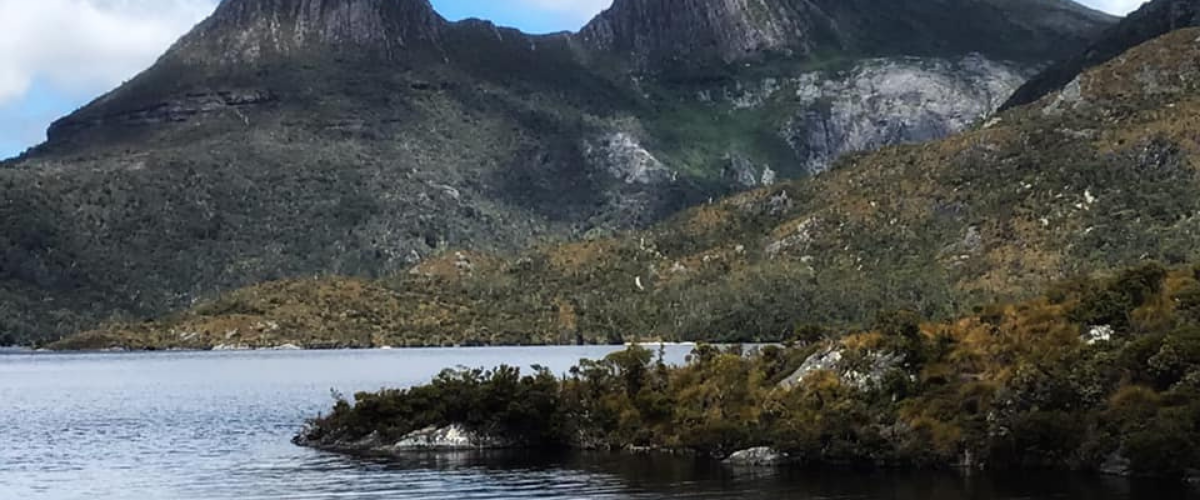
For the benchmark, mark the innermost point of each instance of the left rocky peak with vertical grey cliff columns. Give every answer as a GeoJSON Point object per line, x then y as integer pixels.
{"type": "Point", "coordinates": [249, 31]}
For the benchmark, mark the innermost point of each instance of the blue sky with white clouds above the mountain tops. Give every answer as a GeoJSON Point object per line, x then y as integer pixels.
{"type": "Point", "coordinates": [57, 56]}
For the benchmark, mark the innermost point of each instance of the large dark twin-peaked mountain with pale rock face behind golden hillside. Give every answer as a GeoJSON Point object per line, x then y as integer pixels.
{"type": "Point", "coordinates": [299, 138]}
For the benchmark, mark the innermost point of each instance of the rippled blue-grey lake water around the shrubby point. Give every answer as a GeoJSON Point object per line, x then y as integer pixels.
{"type": "Point", "coordinates": [218, 426]}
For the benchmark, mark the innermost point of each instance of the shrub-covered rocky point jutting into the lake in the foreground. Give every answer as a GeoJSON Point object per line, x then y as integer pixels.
{"type": "Point", "coordinates": [1095, 375]}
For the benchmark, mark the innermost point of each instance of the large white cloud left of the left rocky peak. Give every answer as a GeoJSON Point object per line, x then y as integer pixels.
{"type": "Point", "coordinates": [85, 45]}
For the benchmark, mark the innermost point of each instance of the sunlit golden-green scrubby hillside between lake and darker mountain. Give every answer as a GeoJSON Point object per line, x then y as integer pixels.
{"type": "Point", "coordinates": [1090, 179]}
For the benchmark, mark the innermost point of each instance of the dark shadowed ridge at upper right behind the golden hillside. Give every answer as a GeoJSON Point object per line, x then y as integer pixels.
{"type": "Point", "coordinates": [1154, 20]}
